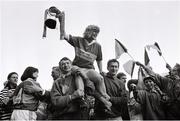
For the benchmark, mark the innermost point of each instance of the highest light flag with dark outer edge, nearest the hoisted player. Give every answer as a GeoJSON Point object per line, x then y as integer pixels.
{"type": "Point", "coordinates": [119, 49]}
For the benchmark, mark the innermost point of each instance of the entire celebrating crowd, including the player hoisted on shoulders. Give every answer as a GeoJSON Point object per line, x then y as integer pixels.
{"type": "Point", "coordinates": [79, 92]}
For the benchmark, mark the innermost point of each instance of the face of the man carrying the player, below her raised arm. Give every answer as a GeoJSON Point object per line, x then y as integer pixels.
{"type": "Point", "coordinates": [65, 66]}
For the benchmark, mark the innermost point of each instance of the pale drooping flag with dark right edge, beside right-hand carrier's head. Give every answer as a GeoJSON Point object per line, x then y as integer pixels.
{"type": "Point", "coordinates": [129, 67]}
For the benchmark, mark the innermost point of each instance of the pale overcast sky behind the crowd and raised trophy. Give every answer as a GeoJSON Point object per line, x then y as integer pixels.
{"type": "Point", "coordinates": [134, 23]}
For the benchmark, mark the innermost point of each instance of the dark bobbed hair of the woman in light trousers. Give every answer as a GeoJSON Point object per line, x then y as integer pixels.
{"type": "Point", "coordinates": [28, 73]}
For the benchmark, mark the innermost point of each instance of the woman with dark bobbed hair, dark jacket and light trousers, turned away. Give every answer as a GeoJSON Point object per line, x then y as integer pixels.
{"type": "Point", "coordinates": [27, 96]}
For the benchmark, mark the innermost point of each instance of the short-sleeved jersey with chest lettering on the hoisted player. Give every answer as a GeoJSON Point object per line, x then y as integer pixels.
{"type": "Point", "coordinates": [85, 53]}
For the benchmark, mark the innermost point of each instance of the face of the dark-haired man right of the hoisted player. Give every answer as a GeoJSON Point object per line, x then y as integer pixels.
{"type": "Point", "coordinates": [113, 68]}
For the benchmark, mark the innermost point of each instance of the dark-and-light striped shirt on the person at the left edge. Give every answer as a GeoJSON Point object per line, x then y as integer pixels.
{"type": "Point", "coordinates": [6, 108]}
